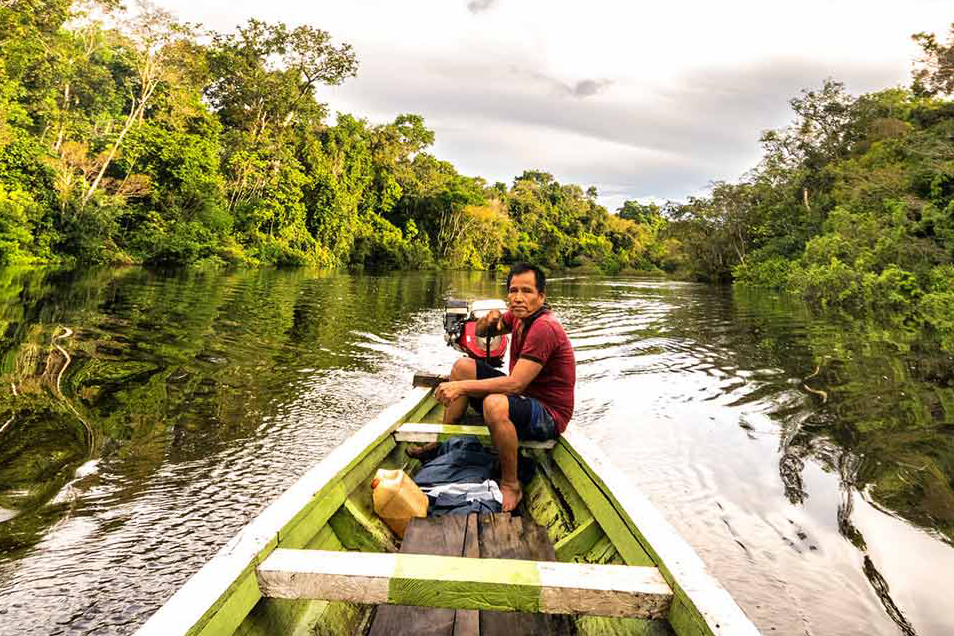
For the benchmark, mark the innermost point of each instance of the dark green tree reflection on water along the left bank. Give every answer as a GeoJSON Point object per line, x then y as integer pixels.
{"type": "Point", "coordinates": [163, 368]}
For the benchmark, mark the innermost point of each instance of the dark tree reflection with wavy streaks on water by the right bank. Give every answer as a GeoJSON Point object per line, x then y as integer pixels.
{"type": "Point", "coordinates": [869, 402]}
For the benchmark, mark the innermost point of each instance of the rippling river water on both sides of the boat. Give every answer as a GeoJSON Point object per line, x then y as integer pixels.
{"type": "Point", "coordinates": [146, 417]}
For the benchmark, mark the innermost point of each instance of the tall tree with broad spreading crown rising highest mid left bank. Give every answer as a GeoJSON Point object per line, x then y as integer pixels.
{"type": "Point", "coordinates": [263, 83]}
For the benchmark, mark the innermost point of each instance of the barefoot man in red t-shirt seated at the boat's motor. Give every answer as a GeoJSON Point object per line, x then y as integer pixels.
{"type": "Point", "coordinates": [534, 402]}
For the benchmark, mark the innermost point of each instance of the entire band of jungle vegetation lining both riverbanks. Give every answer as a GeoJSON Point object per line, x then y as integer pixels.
{"type": "Point", "coordinates": [128, 136]}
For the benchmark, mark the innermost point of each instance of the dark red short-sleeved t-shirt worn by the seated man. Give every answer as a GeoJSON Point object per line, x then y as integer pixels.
{"type": "Point", "coordinates": [546, 343]}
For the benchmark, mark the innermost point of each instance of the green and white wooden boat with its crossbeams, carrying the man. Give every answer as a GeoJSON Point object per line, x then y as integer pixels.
{"type": "Point", "coordinates": [318, 561]}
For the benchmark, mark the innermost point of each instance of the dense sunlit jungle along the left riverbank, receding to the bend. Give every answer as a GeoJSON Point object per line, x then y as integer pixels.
{"type": "Point", "coordinates": [132, 137]}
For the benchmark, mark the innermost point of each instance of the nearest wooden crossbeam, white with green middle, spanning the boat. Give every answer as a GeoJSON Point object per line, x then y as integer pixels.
{"type": "Point", "coordinates": [466, 583]}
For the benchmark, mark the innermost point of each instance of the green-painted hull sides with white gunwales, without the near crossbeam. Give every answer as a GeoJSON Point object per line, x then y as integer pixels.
{"type": "Point", "coordinates": [592, 513]}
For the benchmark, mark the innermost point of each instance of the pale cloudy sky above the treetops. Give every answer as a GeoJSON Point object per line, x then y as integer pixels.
{"type": "Point", "coordinates": [642, 100]}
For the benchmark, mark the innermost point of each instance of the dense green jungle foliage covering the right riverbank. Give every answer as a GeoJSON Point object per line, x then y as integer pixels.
{"type": "Point", "coordinates": [851, 206]}
